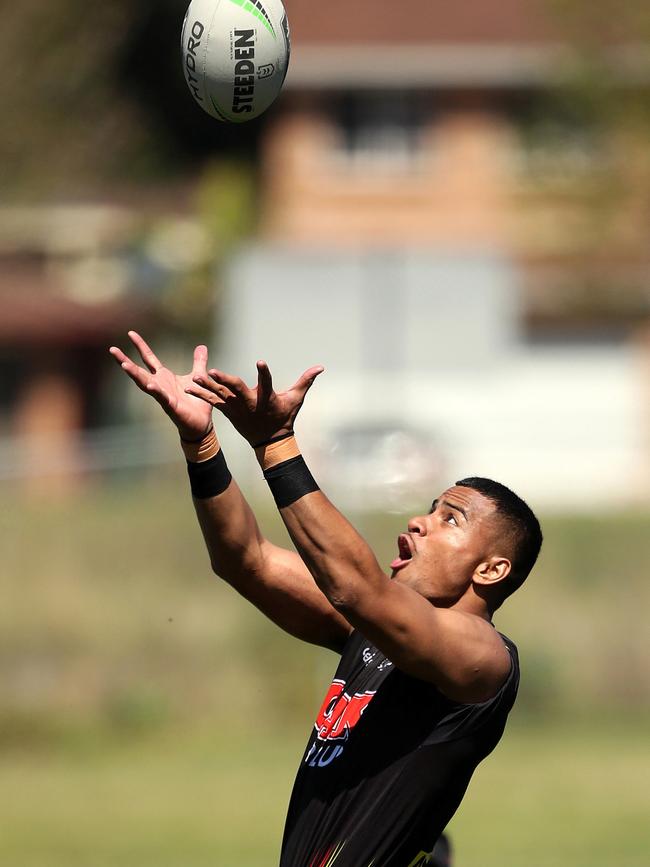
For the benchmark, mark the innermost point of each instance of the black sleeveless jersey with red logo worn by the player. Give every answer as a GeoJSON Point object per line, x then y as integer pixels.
{"type": "Point", "coordinates": [387, 764]}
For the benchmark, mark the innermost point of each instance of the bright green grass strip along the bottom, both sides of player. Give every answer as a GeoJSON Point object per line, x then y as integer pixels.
{"type": "Point", "coordinates": [548, 797]}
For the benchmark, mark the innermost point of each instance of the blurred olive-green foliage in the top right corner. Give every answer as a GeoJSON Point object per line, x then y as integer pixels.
{"type": "Point", "coordinates": [601, 88]}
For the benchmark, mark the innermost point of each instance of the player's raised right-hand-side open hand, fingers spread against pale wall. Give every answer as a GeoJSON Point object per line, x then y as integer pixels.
{"type": "Point", "coordinates": [258, 413]}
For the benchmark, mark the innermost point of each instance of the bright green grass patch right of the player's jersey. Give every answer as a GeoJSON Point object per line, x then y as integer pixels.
{"type": "Point", "coordinates": [567, 796]}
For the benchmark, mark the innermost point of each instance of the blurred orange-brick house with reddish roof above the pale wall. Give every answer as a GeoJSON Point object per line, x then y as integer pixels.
{"type": "Point", "coordinates": [448, 124]}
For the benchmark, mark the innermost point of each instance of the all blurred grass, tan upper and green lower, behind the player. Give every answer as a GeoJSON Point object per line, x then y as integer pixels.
{"type": "Point", "coordinates": [149, 717]}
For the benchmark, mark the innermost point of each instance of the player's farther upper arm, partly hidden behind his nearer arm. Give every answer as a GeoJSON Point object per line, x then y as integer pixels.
{"type": "Point", "coordinates": [281, 587]}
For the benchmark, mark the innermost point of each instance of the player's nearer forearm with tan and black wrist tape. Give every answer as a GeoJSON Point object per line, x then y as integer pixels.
{"type": "Point", "coordinates": [340, 560]}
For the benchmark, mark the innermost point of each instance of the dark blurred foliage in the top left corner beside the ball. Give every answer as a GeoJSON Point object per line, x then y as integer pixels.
{"type": "Point", "coordinates": [96, 102]}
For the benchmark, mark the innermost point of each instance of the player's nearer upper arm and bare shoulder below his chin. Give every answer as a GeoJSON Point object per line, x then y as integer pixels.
{"type": "Point", "coordinates": [463, 655]}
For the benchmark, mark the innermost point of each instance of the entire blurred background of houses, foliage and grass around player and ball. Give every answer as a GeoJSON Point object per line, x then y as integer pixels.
{"type": "Point", "coordinates": [449, 208]}
